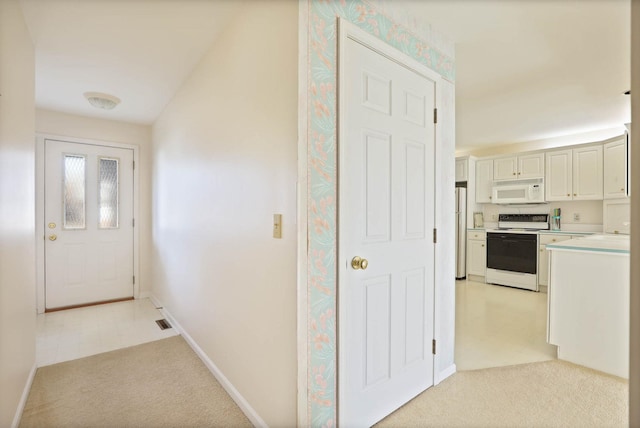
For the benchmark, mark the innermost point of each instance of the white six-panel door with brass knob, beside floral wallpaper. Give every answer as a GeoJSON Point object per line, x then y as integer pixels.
{"type": "Point", "coordinates": [386, 205]}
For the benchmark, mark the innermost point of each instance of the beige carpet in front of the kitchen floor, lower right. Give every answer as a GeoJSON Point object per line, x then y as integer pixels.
{"type": "Point", "coordinates": [546, 394]}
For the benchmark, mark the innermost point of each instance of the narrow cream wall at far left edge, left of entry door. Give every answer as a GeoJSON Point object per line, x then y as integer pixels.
{"type": "Point", "coordinates": [17, 234]}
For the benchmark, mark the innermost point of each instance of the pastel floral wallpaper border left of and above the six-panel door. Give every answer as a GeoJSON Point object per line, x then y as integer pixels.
{"type": "Point", "coordinates": [322, 176]}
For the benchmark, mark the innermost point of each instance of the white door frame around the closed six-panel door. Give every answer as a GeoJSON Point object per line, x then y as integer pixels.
{"type": "Point", "coordinates": [346, 31]}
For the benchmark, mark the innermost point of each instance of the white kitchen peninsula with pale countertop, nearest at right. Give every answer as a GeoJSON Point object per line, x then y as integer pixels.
{"type": "Point", "coordinates": [588, 303]}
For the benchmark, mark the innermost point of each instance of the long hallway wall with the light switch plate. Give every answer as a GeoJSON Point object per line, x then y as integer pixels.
{"type": "Point", "coordinates": [224, 161]}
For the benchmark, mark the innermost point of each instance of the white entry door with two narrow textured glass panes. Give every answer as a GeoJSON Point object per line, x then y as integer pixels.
{"type": "Point", "coordinates": [88, 224]}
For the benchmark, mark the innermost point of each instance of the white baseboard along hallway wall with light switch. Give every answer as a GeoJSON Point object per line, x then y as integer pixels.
{"type": "Point", "coordinates": [244, 405]}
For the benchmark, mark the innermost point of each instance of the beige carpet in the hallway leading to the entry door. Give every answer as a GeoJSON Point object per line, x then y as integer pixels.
{"type": "Point", "coordinates": [157, 384]}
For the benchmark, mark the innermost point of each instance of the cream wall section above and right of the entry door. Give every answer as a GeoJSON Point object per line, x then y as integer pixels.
{"type": "Point", "coordinates": [80, 127]}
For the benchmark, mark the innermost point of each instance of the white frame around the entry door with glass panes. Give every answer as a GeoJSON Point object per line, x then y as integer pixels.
{"type": "Point", "coordinates": [40, 215]}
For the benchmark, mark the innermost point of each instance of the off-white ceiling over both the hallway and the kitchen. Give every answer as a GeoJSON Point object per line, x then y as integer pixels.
{"type": "Point", "coordinates": [525, 69]}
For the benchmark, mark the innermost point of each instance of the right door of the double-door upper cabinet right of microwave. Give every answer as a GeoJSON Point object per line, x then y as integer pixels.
{"type": "Point", "coordinates": [587, 173]}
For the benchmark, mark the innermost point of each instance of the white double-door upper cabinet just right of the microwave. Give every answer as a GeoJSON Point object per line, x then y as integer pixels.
{"type": "Point", "coordinates": [575, 174]}
